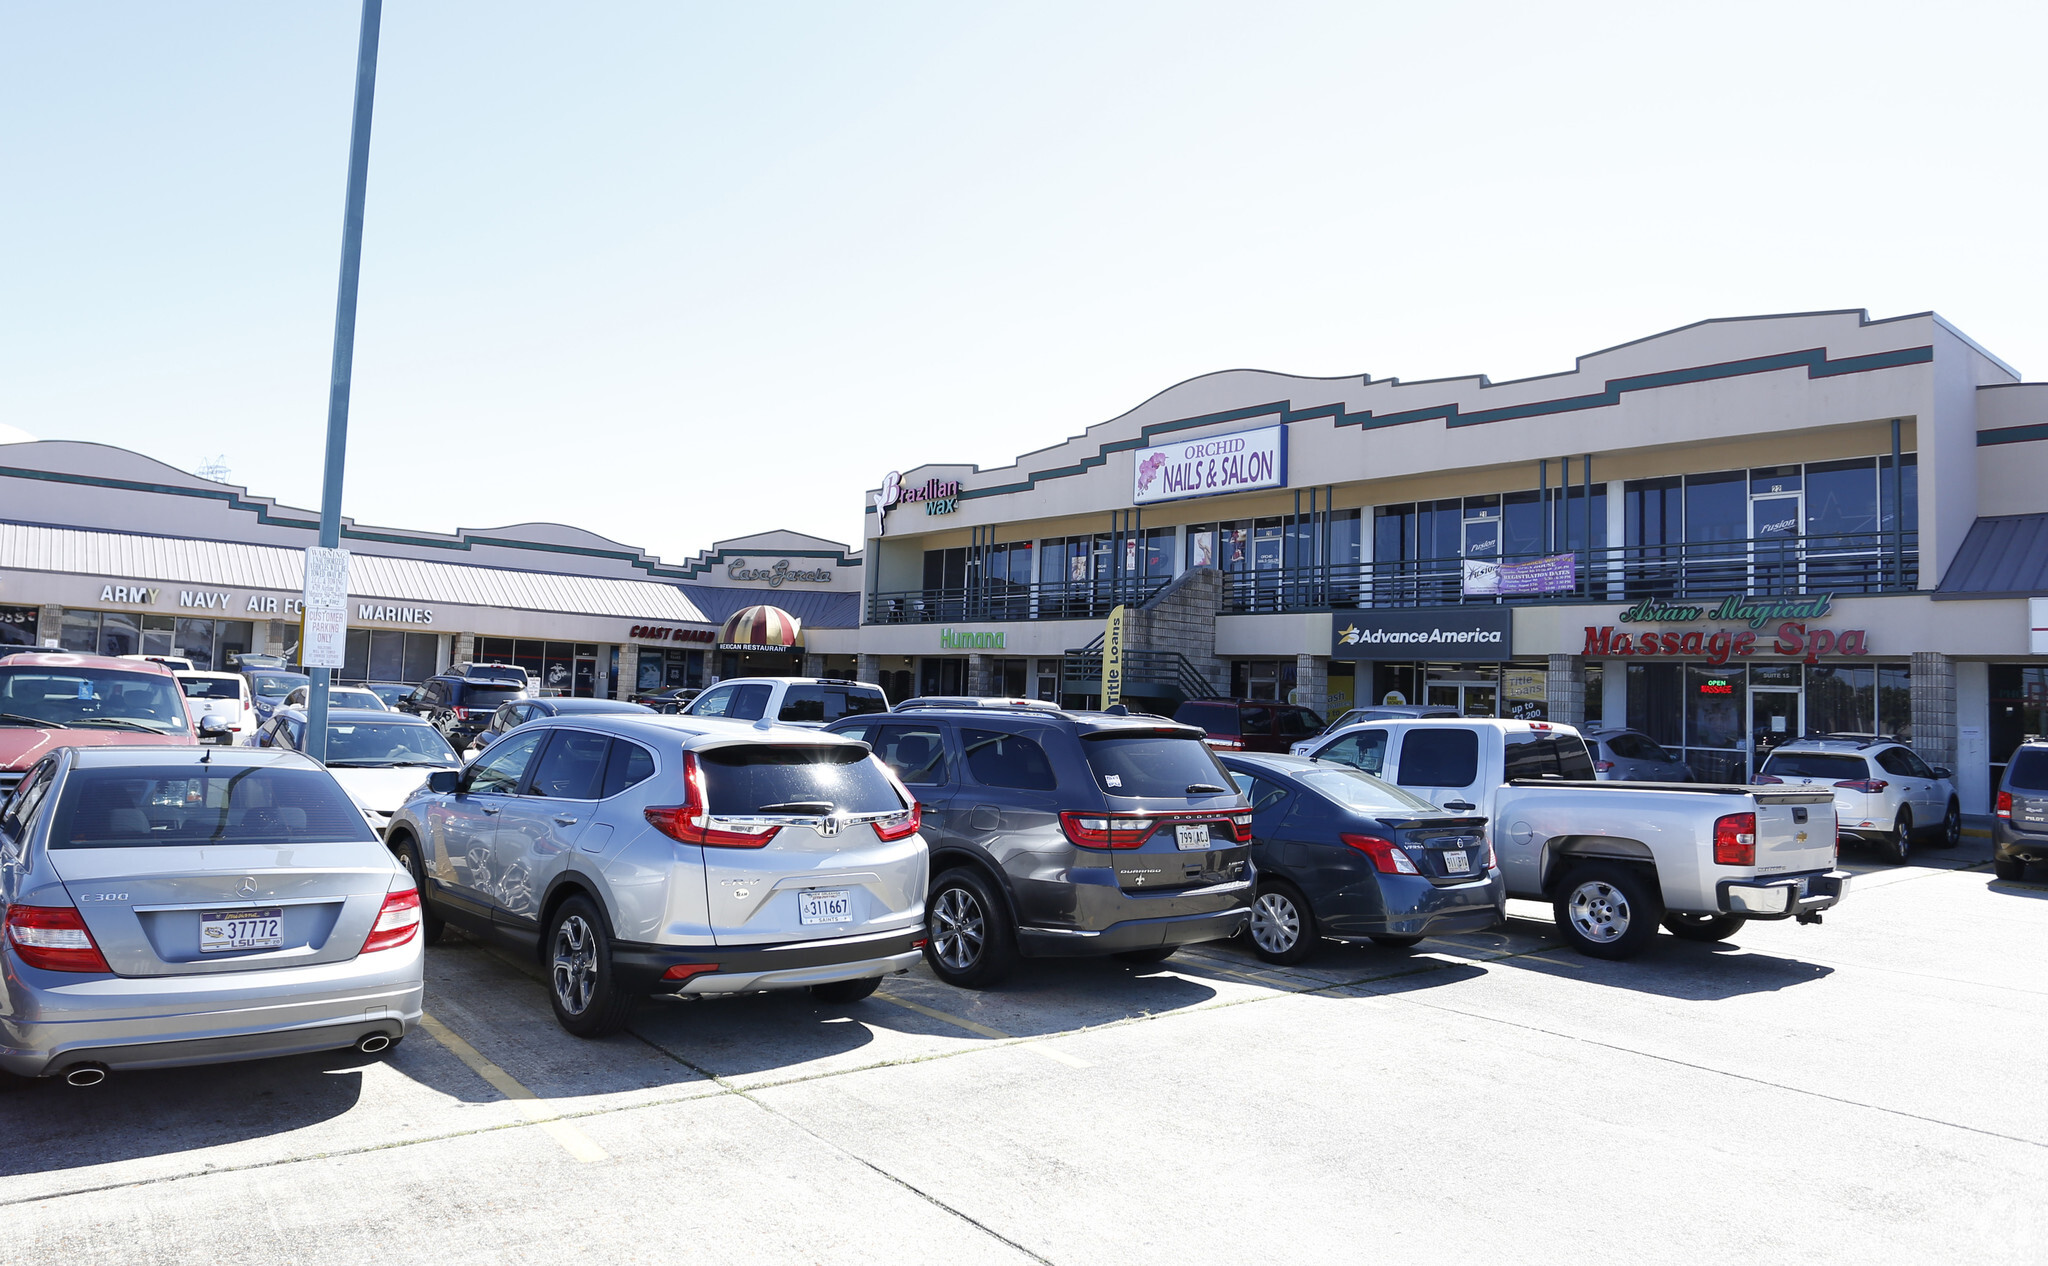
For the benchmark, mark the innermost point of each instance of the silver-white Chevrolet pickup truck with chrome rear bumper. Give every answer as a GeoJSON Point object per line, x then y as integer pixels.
{"type": "Point", "coordinates": [1615, 859]}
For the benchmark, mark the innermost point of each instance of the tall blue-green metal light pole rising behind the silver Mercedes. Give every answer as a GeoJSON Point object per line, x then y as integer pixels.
{"type": "Point", "coordinates": [345, 341]}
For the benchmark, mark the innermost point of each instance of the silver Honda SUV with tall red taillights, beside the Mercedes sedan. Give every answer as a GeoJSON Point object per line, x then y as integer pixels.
{"type": "Point", "coordinates": [675, 855]}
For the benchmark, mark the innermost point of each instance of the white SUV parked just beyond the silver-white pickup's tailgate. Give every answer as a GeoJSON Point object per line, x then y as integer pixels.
{"type": "Point", "coordinates": [1883, 790]}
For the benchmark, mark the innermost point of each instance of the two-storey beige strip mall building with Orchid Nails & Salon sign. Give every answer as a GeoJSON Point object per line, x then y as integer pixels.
{"type": "Point", "coordinates": [1721, 536]}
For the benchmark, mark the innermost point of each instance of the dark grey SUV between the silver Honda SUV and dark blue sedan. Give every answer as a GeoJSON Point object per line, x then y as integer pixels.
{"type": "Point", "coordinates": [1062, 833]}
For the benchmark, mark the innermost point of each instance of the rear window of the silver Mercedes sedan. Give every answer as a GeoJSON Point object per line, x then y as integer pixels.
{"type": "Point", "coordinates": [194, 804]}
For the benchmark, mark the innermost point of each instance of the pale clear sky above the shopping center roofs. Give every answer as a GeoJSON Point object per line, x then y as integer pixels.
{"type": "Point", "coordinates": [689, 271]}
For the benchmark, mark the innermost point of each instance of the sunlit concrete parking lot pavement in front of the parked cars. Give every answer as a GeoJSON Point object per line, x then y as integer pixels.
{"type": "Point", "coordinates": [1861, 1091]}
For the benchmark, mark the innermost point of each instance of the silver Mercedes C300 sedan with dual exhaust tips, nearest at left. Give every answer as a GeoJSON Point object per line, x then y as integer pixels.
{"type": "Point", "coordinates": [171, 906]}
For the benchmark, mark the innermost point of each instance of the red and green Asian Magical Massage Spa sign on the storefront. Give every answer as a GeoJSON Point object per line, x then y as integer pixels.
{"type": "Point", "coordinates": [1793, 636]}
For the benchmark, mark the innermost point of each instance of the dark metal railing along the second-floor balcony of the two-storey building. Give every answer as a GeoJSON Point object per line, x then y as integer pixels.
{"type": "Point", "coordinates": [1709, 571]}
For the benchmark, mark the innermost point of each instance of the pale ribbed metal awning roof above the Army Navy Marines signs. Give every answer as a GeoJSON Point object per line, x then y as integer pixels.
{"type": "Point", "coordinates": [175, 560]}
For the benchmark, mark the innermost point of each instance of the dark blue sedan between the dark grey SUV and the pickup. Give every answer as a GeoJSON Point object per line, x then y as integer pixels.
{"type": "Point", "coordinates": [1342, 855]}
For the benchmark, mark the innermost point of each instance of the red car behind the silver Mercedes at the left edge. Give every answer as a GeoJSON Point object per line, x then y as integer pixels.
{"type": "Point", "coordinates": [54, 700]}
